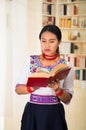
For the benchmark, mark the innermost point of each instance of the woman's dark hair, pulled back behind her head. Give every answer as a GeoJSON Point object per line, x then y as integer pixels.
{"type": "Point", "coordinates": [53, 29]}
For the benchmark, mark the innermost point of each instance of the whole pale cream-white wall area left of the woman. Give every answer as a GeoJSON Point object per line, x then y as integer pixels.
{"type": "Point", "coordinates": [19, 30]}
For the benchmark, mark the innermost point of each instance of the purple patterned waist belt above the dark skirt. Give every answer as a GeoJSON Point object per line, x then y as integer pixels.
{"type": "Point", "coordinates": [41, 99]}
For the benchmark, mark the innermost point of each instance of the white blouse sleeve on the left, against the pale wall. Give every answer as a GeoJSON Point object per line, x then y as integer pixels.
{"type": "Point", "coordinates": [24, 73]}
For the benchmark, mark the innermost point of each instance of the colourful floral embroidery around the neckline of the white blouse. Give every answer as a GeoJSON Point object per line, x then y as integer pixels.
{"type": "Point", "coordinates": [35, 64]}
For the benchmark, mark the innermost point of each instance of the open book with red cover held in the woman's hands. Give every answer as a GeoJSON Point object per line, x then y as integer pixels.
{"type": "Point", "coordinates": [43, 77]}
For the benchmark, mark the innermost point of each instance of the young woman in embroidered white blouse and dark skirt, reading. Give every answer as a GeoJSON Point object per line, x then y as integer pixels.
{"type": "Point", "coordinates": [44, 110]}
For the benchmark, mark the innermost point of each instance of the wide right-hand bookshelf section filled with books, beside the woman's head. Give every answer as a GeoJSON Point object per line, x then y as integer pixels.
{"type": "Point", "coordinates": [71, 18]}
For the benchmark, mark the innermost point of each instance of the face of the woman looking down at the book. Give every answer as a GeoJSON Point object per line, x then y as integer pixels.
{"type": "Point", "coordinates": [49, 43]}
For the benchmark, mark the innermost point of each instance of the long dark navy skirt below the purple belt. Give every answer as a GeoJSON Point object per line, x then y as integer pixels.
{"type": "Point", "coordinates": [43, 117]}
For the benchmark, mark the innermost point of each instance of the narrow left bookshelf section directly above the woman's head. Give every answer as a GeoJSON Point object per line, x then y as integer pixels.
{"type": "Point", "coordinates": [48, 12]}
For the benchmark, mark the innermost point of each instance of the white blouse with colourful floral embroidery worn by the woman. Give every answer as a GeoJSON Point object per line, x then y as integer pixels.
{"type": "Point", "coordinates": [33, 63]}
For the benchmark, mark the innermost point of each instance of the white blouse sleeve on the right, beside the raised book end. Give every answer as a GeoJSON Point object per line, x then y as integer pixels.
{"type": "Point", "coordinates": [68, 83]}
